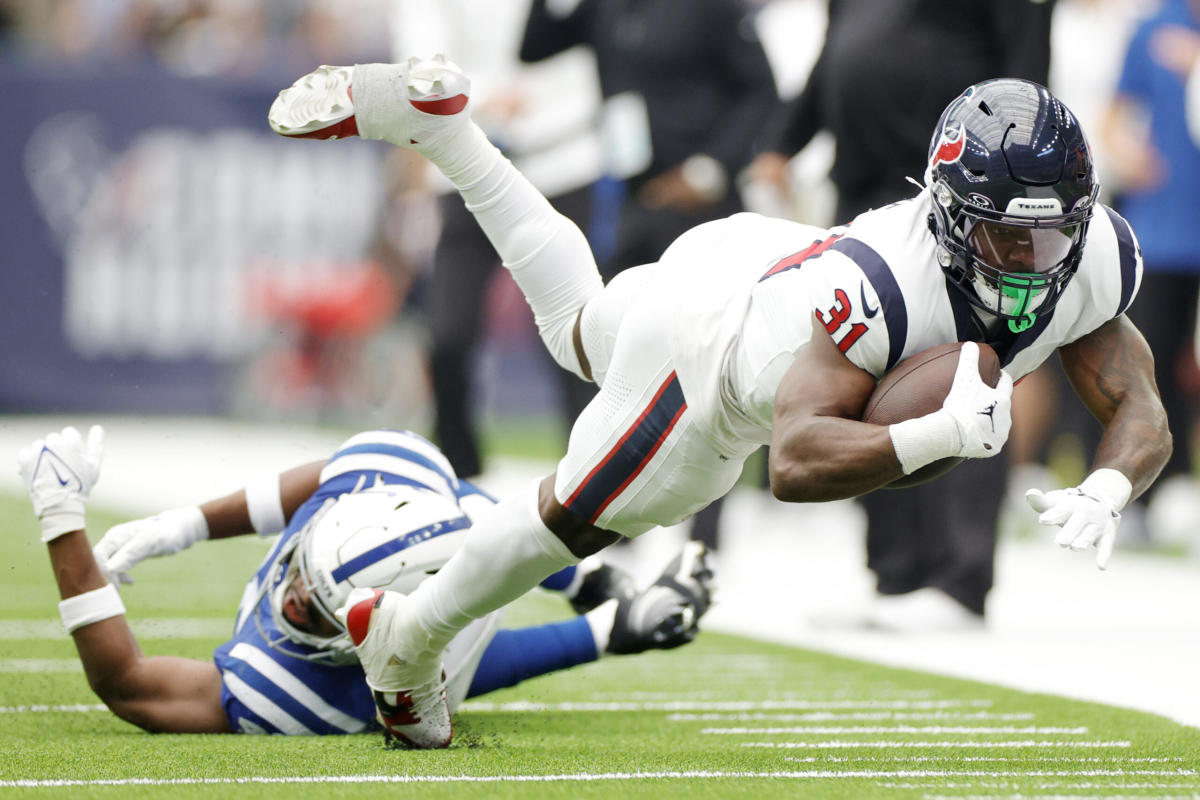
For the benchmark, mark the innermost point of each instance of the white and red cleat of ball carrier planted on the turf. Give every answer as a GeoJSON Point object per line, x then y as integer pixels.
{"type": "Point", "coordinates": [411, 699]}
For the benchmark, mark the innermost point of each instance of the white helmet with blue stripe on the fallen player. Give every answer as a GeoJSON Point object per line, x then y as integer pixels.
{"type": "Point", "coordinates": [388, 537]}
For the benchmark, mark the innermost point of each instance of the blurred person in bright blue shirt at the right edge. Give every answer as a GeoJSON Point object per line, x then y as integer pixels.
{"type": "Point", "coordinates": [1159, 165]}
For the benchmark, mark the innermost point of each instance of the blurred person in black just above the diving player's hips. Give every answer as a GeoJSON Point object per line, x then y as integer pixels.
{"type": "Point", "coordinates": [686, 85]}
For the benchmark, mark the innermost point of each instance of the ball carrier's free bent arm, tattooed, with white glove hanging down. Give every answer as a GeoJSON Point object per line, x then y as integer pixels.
{"type": "Point", "coordinates": [1113, 372]}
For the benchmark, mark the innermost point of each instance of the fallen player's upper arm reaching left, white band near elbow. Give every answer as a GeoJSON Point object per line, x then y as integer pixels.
{"type": "Point", "coordinates": [263, 507]}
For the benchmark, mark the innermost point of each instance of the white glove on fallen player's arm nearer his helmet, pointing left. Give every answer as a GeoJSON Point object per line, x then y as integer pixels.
{"type": "Point", "coordinates": [163, 534]}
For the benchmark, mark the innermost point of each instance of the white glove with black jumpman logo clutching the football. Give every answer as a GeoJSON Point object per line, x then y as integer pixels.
{"type": "Point", "coordinates": [983, 414]}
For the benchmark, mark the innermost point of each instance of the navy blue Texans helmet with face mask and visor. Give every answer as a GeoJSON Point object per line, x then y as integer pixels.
{"type": "Point", "coordinates": [1013, 190]}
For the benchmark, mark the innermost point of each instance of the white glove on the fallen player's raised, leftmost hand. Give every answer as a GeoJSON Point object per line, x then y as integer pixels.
{"type": "Point", "coordinates": [59, 473]}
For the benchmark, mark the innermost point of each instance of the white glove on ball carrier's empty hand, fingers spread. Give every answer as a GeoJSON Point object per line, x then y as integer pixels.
{"type": "Point", "coordinates": [1089, 515]}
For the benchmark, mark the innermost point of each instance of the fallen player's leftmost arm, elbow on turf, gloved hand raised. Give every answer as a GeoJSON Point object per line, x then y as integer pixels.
{"type": "Point", "coordinates": [160, 694]}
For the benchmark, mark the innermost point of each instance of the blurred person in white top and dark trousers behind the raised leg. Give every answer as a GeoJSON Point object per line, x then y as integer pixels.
{"type": "Point", "coordinates": [543, 117]}
